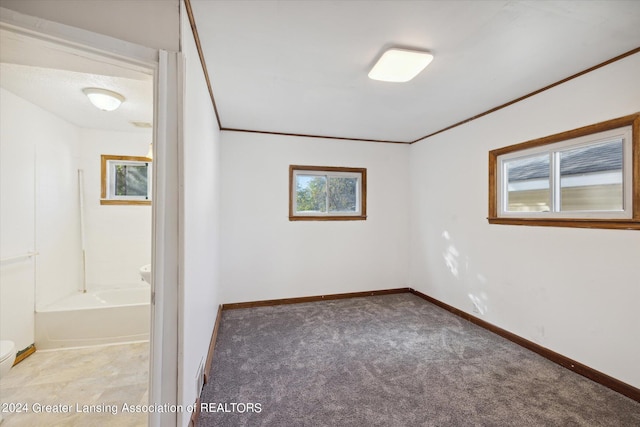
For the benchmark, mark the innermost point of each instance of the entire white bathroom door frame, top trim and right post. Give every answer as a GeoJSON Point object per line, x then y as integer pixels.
{"type": "Point", "coordinates": [165, 66]}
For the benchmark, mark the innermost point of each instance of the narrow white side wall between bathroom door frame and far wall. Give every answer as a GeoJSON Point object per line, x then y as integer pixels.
{"type": "Point", "coordinates": [200, 211]}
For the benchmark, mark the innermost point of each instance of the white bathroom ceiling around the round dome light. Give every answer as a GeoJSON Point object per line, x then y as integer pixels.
{"type": "Point", "coordinates": [52, 77]}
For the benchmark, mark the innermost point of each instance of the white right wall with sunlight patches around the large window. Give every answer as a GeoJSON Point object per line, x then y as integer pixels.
{"type": "Point", "coordinates": [574, 291]}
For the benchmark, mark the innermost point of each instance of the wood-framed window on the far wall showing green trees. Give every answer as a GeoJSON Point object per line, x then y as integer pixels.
{"type": "Point", "coordinates": [327, 193]}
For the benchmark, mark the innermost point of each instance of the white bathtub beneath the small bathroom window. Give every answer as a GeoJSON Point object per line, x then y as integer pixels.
{"type": "Point", "coordinates": [106, 316]}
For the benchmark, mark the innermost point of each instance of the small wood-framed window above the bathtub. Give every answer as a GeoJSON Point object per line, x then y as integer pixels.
{"type": "Point", "coordinates": [126, 180]}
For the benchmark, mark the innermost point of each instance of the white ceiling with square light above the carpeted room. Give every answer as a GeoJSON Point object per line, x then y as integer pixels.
{"type": "Point", "coordinates": [300, 67]}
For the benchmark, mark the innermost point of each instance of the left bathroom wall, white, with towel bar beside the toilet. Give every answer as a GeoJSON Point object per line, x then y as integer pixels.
{"type": "Point", "coordinates": [39, 211]}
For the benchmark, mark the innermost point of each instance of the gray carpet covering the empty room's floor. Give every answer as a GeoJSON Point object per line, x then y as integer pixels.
{"type": "Point", "coordinates": [393, 360]}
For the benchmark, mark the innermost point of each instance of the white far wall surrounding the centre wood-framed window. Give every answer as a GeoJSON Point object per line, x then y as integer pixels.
{"type": "Point", "coordinates": [266, 256]}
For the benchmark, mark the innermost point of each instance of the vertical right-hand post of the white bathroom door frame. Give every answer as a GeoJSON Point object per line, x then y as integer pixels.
{"type": "Point", "coordinates": [163, 373]}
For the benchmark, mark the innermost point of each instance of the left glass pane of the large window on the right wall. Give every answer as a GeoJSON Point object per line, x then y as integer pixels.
{"type": "Point", "coordinates": [527, 182]}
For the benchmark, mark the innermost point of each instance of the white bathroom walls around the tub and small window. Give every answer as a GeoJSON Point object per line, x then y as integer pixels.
{"type": "Point", "coordinates": [40, 212]}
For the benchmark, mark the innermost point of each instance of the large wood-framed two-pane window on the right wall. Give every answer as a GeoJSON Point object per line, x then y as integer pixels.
{"type": "Point", "coordinates": [580, 178]}
